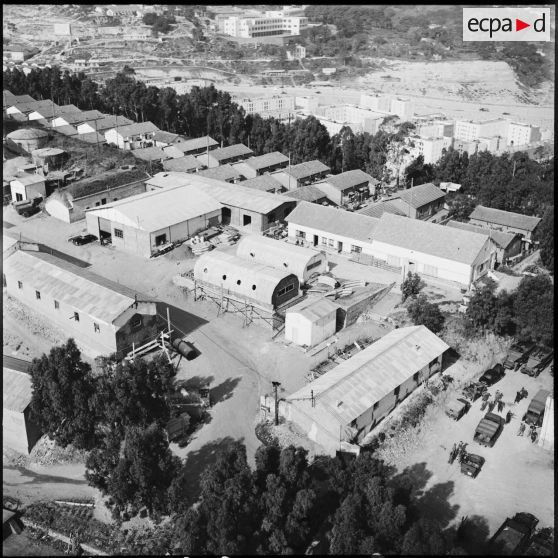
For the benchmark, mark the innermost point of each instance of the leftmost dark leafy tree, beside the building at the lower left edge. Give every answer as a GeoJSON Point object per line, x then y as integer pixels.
{"type": "Point", "coordinates": [61, 399]}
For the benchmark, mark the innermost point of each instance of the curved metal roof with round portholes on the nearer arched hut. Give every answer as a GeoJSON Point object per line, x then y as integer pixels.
{"type": "Point", "coordinates": [242, 277]}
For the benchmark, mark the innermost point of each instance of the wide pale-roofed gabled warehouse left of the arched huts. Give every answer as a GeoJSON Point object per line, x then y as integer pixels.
{"type": "Point", "coordinates": [142, 223]}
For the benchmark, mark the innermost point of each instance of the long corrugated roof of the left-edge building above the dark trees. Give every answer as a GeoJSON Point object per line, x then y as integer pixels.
{"type": "Point", "coordinates": [77, 287]}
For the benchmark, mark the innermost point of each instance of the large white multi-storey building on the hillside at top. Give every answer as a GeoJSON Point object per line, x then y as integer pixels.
{"type": "Point", "coordinates": [262, 26]}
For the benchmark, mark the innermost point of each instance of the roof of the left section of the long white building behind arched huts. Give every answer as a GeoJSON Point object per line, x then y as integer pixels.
{"type": "Point", "coordinates": [335, 221]}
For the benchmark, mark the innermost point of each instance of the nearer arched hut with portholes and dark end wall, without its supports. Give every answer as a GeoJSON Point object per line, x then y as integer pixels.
{"type": "Point", "coordinates": [253, 283]}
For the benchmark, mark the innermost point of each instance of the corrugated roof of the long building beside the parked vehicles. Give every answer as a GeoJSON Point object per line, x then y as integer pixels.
{"type": "Point", "coordinates": [352, 387]}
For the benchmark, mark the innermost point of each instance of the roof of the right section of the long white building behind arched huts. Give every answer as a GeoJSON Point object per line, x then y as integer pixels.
{"type": "Point", "coordinates": [429, 238]}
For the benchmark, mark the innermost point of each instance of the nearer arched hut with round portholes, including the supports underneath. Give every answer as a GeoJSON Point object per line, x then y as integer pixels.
{"type": "Point", "coordinates": [236, 284]}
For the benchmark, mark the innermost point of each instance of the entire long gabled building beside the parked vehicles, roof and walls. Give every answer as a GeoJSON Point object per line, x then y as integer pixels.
{"type": "Point", "coordinates": [343, 405]}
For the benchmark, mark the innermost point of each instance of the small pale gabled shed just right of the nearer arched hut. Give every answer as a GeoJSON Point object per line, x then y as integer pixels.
{"type": "Point", "coordinates": [311, 321]}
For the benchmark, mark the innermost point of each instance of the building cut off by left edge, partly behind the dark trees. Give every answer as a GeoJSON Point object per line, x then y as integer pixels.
{"type": "Point", "coordinates": [19, 428]}
